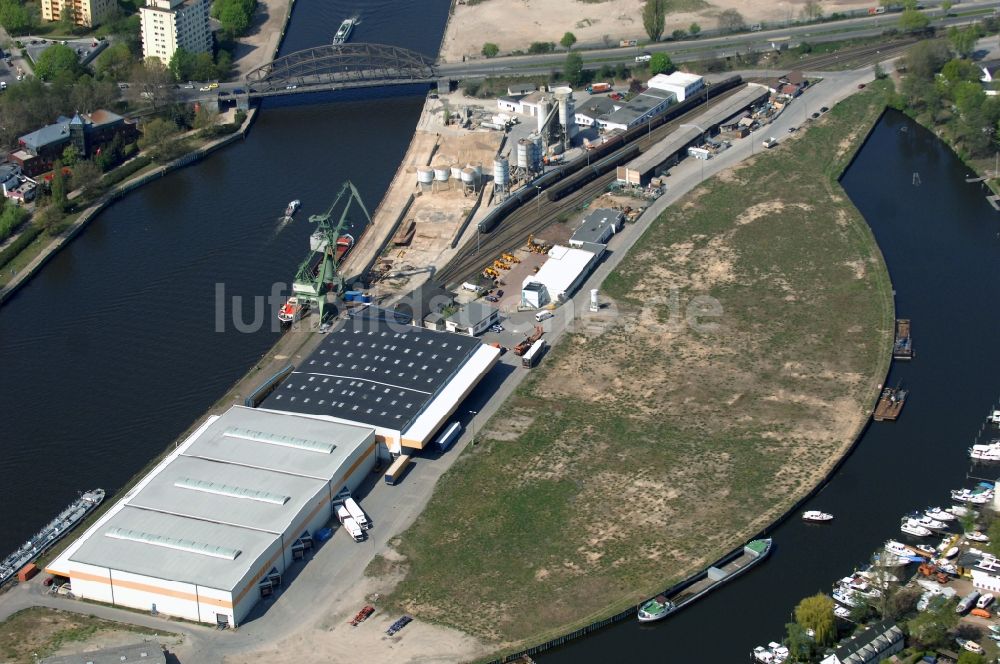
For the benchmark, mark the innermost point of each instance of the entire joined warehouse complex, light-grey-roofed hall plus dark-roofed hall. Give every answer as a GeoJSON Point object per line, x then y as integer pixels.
{"type": "Point", "coordinates": [216, 525]}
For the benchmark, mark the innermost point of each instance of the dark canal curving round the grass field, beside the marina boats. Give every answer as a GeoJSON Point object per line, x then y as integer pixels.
{"type": "Point", "coordinates": [940, 240]}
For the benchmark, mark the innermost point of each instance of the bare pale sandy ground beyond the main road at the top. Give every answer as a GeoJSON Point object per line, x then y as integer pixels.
{"type": "Point", "coordinates": [515, 24]}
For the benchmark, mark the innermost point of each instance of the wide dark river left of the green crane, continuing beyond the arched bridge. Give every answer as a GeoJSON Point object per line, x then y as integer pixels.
{"type": "Point", "coordinates": [111, 351]}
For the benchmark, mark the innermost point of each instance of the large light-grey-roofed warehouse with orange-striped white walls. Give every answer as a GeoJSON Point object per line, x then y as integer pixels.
{"type": "Point", "coordinates": [215, 524]}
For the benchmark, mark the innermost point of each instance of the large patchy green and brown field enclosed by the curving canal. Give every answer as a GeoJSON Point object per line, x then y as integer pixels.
{"type": "Point", "coordinates": [642, 448]}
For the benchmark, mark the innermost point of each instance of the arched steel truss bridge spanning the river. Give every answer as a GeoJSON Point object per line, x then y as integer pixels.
{"type": "Point", "coordinates": [338, 67]}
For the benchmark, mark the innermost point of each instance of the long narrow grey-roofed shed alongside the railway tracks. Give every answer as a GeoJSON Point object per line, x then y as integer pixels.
{"type": "Point", "coordinates": [639, 171]}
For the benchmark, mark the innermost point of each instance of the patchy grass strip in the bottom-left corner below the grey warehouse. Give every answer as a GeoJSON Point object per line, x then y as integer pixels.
{"type": "Point", "coordinates": [33, 634]}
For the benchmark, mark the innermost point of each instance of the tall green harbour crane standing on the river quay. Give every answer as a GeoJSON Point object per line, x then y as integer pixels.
{"type": "Point", "coordinates": [319, 274]}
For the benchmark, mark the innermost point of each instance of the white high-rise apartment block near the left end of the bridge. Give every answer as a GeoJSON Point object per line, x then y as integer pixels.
{"type": "Point", "coordinates": [171, 24]}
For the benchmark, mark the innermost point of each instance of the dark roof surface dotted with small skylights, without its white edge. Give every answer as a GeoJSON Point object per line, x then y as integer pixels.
{"type": "Point", "coordinates": [374, 372]}
